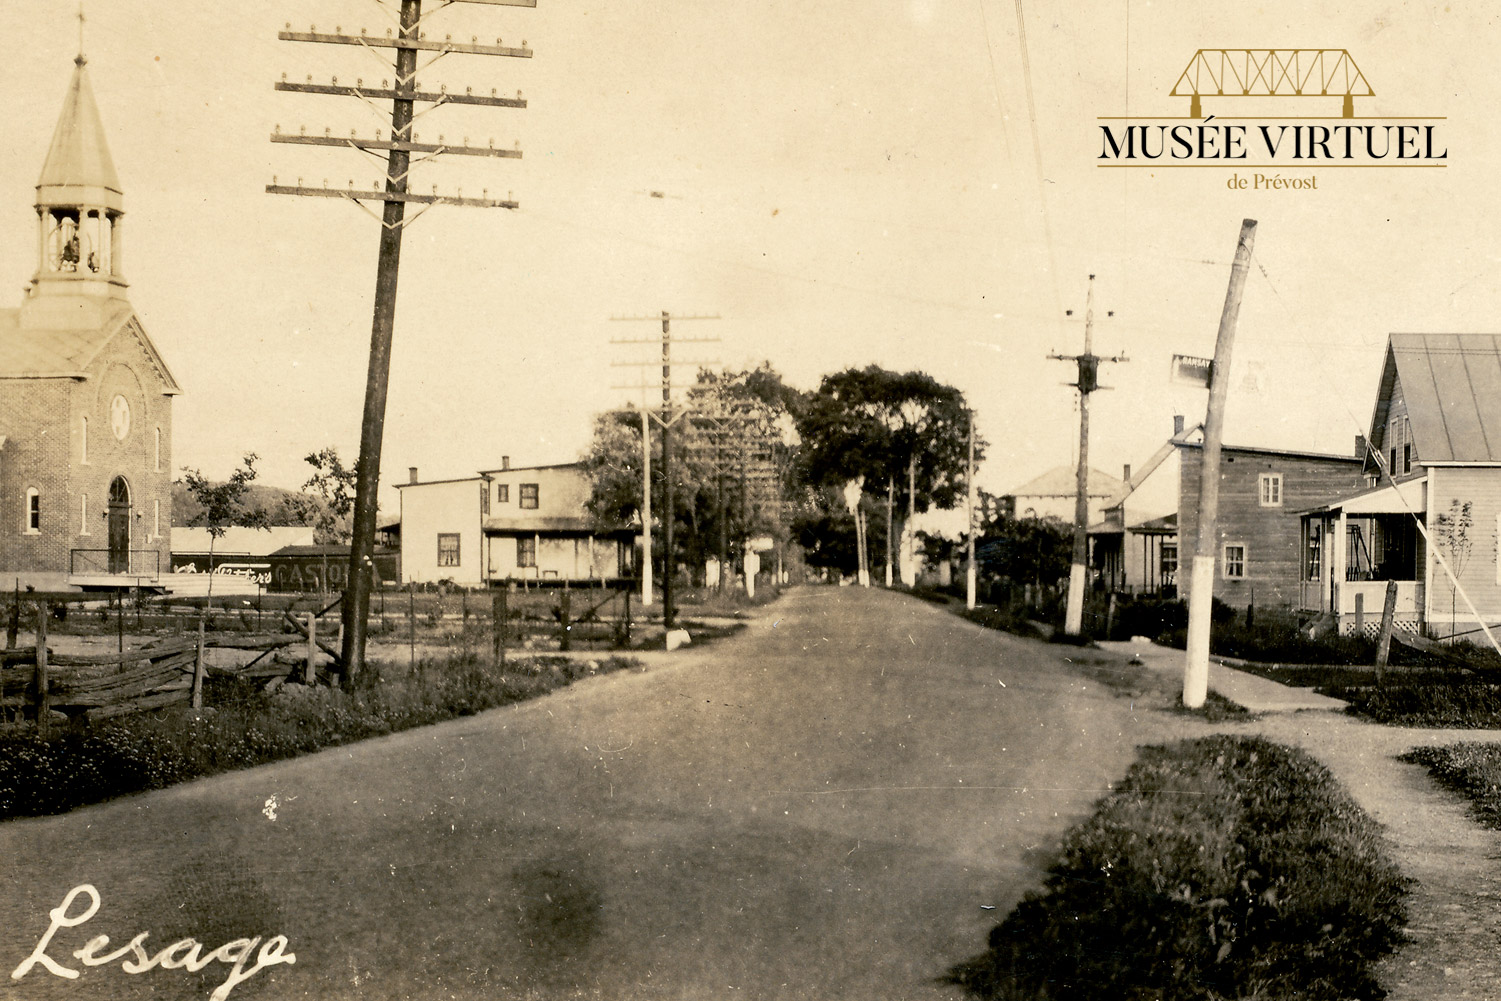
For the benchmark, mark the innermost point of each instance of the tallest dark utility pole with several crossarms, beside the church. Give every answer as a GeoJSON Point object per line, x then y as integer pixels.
{"type": "Point", "coordinates": [405, 94]}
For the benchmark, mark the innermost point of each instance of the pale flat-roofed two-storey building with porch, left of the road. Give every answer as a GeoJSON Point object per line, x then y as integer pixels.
{"type": "Point", "coordinates": [508, 525]}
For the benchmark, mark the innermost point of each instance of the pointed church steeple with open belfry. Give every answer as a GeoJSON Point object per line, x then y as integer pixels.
{"type": "Point", "coordinates": [79, 202]}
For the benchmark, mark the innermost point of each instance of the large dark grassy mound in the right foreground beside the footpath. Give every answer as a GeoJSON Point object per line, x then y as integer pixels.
{"type": "Point", "coordinates": [1221, 868]}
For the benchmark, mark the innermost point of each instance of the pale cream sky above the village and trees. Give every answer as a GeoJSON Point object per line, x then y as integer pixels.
{"type": "Point", "coordinates": [910, 184]}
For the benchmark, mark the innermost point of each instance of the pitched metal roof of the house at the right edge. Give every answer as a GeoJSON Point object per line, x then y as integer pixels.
{"type": "Point", "coordinates": [1452, 386]}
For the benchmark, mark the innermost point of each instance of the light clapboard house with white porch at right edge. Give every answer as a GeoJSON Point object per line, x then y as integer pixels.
{"type": "Point", "coordinates": [1430, 513]}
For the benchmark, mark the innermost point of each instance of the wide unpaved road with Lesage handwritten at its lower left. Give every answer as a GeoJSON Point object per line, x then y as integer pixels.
{"type": "Point", "coordinates": [823, 807]}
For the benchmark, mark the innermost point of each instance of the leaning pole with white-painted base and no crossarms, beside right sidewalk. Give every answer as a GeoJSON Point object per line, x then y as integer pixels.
{"type": "Point", "coordinates": [1202, 579]}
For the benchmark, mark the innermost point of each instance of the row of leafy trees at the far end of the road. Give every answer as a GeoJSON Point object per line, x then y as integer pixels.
{"type": "Point", "coordinates": [762, 458]}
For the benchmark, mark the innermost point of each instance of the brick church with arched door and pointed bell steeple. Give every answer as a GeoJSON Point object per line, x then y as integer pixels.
{"type": "Point", "coordinates": [86, 418]}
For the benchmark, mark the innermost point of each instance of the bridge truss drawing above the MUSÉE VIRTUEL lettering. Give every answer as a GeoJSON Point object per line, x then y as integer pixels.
{"type": "Point", "coordinates": [1272, 73]}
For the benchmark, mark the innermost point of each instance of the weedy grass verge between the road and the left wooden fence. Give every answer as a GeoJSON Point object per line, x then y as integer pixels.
{"type": "Point", "coordinates": [244, 729]}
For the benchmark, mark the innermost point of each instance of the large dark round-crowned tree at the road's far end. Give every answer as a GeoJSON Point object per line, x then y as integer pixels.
{"type": "Point", "coordinates": [904, 431]}
